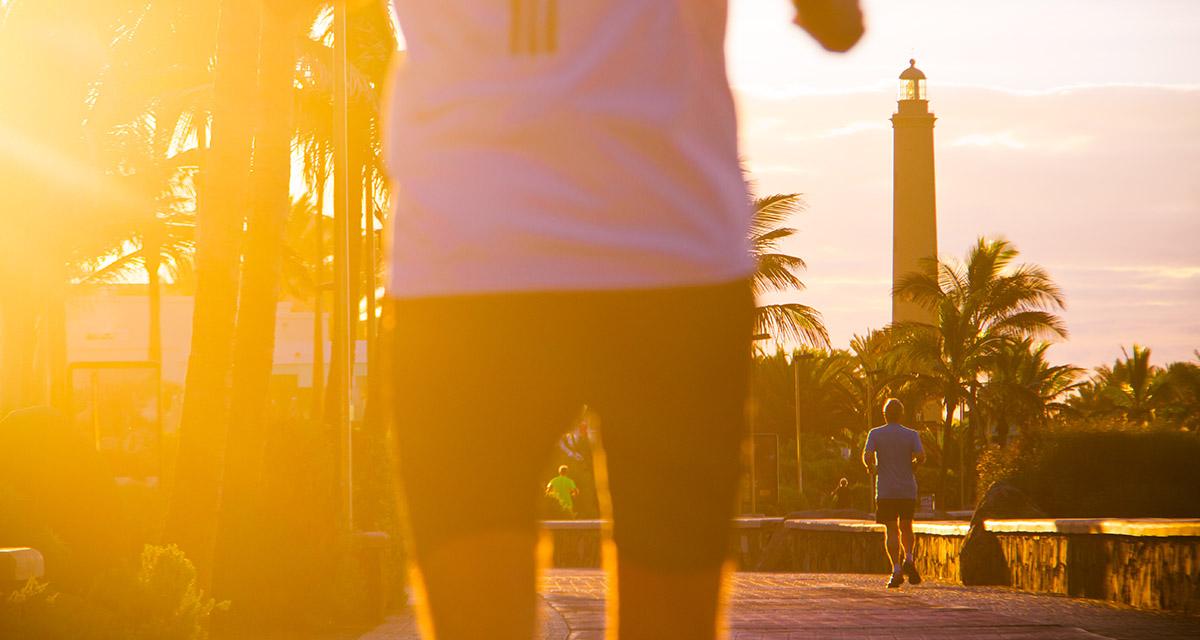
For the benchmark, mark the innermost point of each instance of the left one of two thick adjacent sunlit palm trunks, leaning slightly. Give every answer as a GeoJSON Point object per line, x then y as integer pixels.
{"type": "Point", "coordinates": [193, 518]}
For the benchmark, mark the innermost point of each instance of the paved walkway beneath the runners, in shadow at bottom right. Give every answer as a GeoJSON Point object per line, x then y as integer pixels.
{"type": "Point", "coordinates": [809, 607]}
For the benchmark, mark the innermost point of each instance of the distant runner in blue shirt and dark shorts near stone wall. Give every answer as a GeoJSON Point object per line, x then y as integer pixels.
{"type": "Point", "coordinates": [892, 454]}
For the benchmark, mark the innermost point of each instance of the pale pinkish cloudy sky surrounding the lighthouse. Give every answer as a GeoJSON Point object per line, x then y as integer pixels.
{"type": "Point", "coordinates": [1070, 128]}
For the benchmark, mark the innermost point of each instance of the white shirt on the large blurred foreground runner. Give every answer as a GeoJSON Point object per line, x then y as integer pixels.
{"type": "Point", "coordinates": [563, 146]}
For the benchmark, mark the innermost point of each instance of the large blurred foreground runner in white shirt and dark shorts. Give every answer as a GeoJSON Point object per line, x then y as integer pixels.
{"type": "Point", "coordinates": [571, 228]}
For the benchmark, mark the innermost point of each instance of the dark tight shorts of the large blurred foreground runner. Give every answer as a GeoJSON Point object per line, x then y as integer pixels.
{"type": "Point", "coordinates": [484, 387]}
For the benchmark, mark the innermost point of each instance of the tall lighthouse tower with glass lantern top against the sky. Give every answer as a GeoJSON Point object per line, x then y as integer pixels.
{"type": "Point", "coordinates": [915, 204]}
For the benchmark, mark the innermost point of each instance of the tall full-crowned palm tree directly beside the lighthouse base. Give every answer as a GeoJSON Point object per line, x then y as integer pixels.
{"type": "Point", "coordinates": [977, 307]}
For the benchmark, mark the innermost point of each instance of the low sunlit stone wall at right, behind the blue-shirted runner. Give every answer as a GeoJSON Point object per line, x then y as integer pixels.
{"type": "Point", "coordinates": [1145, 564]}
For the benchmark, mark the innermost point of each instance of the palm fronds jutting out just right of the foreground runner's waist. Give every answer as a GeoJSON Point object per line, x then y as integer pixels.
{"type": "Point", "coordinates": [777, 272]}
